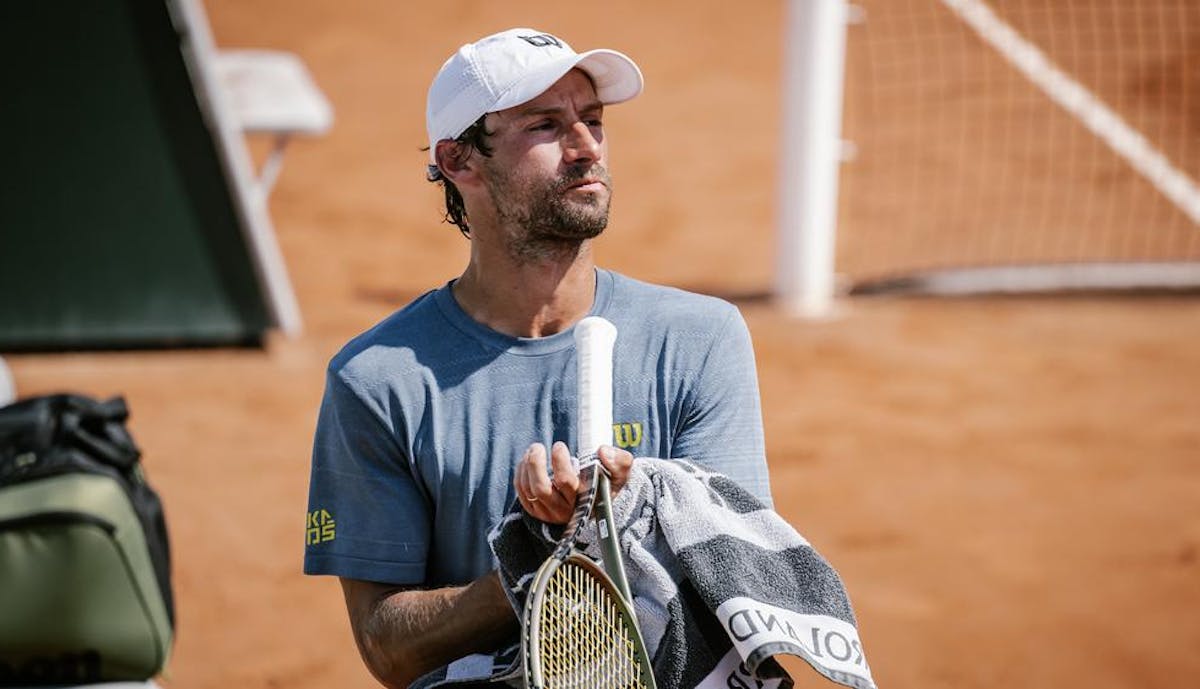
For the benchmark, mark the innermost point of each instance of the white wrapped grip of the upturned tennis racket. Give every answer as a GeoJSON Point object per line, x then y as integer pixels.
{"type": "Point", "coordinates": [595, 339]}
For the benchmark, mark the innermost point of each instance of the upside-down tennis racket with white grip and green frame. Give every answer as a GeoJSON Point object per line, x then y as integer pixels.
{"type": "Point", "coordinates": [579, 630]}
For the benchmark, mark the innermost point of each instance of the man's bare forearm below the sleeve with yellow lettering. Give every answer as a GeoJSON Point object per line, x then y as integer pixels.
{"type": "Point", "coordinates": [405, 634]}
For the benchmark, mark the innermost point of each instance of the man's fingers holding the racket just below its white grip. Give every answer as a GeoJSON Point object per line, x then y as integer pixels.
{"type": "Point", "coordinates": [551, 499]}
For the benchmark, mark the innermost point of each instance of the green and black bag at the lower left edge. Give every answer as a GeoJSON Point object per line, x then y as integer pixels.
{"type": "Point", "coordinates": [85, 561]}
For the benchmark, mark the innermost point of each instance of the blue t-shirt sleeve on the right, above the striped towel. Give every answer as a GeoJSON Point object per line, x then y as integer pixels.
{"type": "Point", "coordinates": [723, 424]}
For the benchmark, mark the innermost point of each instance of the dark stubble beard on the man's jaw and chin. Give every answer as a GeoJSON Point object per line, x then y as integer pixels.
{"type": "Point", "coordinates": [547, 221]}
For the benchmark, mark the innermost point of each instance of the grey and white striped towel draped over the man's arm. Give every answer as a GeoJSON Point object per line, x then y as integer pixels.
{"type": "Point", "coordinates": [722, 585]}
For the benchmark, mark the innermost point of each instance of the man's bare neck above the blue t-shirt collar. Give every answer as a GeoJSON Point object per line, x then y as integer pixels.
{"type": "Point", "coordinates": [529, 298]}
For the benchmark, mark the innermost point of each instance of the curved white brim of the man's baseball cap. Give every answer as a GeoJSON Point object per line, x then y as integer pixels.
{"type": "Point", "coordinates": [614, 75]}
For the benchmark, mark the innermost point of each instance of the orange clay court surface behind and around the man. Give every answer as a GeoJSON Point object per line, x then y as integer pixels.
{"type": "Point", "coordinates": [1010, 487]}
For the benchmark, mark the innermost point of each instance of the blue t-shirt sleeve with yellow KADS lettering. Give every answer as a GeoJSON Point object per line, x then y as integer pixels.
{"type": "Point", "coordinates": [368, 518]}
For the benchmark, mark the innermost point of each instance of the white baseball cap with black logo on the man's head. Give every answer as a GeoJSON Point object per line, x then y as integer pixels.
{"type": "Point", "coordinates": [513, 68]}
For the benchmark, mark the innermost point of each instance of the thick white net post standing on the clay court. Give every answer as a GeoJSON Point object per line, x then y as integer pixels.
{"type": "Point", "coordinates": [815, 50]}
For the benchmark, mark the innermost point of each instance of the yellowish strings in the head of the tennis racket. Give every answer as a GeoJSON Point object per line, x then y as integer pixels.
{"type": "Point", "coordinates": [586, 643]}
